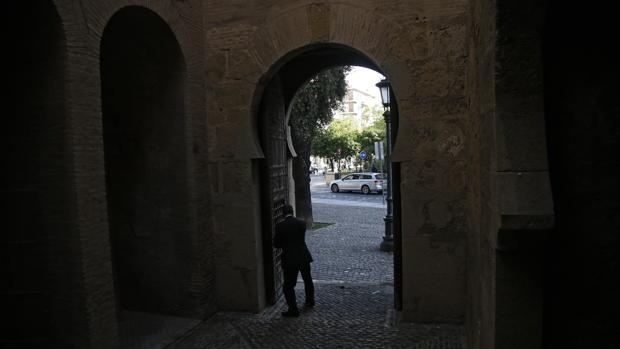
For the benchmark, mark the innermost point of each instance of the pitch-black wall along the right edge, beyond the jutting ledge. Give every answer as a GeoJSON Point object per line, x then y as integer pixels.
{"type": "Point", "coordinates": [582, 112]}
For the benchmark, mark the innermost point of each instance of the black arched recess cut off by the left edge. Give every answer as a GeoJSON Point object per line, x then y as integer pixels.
{"type": "Point", "coordinates": [33, 182]}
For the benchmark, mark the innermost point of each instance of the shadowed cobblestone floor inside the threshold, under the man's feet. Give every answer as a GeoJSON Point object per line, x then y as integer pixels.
{"type": "Point", "coordinates": [345, 316]}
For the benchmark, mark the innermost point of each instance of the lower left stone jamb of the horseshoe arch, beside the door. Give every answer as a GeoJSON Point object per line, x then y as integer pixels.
{"type": "Point", "coordinates": [238, 252]}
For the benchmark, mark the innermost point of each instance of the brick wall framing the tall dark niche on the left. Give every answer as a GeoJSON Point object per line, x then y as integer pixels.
{"type": "Point", "coordinates": [80, 281]}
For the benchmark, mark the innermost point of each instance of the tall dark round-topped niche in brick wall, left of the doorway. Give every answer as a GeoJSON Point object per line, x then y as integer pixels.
{"type": "Point", "coordinates": [142, 78]}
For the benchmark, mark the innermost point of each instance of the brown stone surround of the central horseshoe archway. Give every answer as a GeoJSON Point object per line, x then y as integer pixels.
{"type": "Point", "coordinates": [427, 66]}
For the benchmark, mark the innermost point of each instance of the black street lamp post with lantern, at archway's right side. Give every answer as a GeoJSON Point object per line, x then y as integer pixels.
{"type": "Point", "coordinates": [388, 240]}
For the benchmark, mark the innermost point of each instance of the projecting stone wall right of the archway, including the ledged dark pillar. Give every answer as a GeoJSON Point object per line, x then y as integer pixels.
{"type": "Point", "coordinates": [512, 202]}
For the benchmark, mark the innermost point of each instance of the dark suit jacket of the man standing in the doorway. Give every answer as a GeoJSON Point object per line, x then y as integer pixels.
{"type": "Point", "coordinates": [290, 237]}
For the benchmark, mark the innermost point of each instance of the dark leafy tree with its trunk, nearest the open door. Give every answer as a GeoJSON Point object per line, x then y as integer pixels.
{"type": "Point", "coordinates": [312, 109]}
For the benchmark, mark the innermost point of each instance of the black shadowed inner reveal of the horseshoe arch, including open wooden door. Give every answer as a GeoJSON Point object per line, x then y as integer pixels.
{"type": "Point", "coordinates": [271, 105]}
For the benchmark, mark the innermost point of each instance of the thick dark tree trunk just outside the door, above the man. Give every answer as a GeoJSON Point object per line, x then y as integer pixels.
{"type": "Point", "coordinates": [301, 175]}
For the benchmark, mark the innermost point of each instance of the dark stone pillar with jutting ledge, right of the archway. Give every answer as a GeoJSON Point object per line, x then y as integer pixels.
{"type": "Point", "coordinates": [522, 175]}
